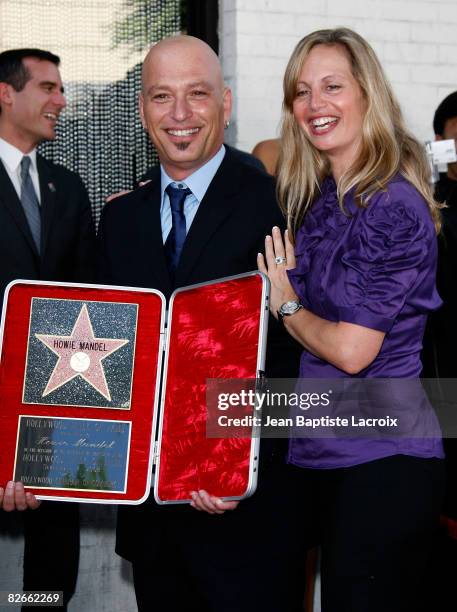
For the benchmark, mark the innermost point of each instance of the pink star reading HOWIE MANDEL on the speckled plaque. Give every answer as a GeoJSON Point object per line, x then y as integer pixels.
{"type": "Point", "coordinates": [80, 354]}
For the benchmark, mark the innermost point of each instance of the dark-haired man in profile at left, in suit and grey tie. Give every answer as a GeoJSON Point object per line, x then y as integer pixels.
{"type": "Point", "coordinates": [46, 233]}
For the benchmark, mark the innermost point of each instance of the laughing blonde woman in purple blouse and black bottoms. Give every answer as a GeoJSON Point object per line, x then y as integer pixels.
{"type": "Point", "coordinates": [353, 282]}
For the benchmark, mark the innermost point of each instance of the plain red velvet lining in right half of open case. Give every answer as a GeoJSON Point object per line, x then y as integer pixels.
{"type": "Point", "coordinates": [214, 334]}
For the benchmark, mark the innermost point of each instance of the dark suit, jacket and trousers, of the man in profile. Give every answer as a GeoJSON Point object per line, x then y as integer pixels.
{"type": "Point", "coordinates": [67, 254]}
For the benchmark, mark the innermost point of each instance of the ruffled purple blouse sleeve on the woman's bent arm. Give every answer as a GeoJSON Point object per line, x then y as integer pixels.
{"type": "Point", "coordinates": [391, 259]}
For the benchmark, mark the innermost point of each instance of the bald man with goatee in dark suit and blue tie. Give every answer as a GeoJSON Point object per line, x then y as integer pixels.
{"type": "Point", "coordinates": [226, 557]}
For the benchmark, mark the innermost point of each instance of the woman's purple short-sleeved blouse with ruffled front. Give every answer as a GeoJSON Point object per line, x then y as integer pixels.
{"type": "Point", "coordinates": [374, 267]}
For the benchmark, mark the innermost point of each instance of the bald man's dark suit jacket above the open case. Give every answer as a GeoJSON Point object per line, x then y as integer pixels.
{"type": "Point", "coordinates": [227, 232]}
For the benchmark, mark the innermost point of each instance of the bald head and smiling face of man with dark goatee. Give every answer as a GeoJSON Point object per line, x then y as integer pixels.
{"type": "Point", "coordinates": [184, 104]}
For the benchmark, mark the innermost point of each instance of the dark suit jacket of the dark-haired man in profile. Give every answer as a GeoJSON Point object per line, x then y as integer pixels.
{"type": "Point", "coordinates": [67, 234]}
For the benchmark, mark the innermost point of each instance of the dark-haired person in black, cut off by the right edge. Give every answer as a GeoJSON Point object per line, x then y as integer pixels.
{"type": "Point", "coordinates": [439, 354]}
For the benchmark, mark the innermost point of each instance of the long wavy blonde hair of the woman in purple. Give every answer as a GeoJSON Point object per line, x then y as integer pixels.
{"type": "Point", "coordinates": [386, 145]}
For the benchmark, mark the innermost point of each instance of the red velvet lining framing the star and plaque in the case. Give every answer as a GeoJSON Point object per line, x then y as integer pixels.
{"type": "Point", "coordinates": [144, 382]}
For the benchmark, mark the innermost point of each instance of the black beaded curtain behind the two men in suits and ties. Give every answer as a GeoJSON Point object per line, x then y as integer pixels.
{"type": "Point", "coordinates": [101, 44]}
